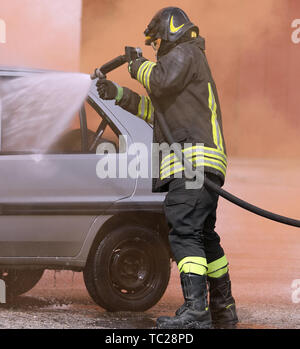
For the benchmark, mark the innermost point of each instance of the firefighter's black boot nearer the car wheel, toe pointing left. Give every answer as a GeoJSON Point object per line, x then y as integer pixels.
{"type": "Point", "coordinates": [194, 313]}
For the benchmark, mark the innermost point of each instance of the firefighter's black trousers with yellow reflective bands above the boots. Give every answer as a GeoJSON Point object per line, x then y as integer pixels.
{"type": "Point", "coordinates": [191, 215]}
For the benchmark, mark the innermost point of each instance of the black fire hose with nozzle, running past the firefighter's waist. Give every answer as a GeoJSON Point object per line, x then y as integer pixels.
{"type": "Point", "coordinates": [132, 53]}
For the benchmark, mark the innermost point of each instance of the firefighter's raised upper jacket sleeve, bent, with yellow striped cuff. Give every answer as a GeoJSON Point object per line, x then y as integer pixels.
{"type": "Point", "coordinates": [169, 75]}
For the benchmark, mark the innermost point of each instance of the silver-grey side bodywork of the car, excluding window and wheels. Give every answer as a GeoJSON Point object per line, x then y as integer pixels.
{"type": "Point", "coordinates": [52, 206]}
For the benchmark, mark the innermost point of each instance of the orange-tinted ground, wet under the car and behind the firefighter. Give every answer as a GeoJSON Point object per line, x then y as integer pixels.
{"type": "Point", "coordinates": [263, 255]}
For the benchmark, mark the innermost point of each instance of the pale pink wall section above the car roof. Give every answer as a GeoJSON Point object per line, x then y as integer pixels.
{"type": "Point", "coordinates": [41, 33]}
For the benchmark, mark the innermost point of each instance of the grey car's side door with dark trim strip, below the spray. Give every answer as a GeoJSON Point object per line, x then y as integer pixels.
{"type": "Point", "coordinates": [48, 201]}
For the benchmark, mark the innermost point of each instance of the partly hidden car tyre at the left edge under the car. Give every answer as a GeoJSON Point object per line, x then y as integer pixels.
{"type": "Point", "coordinates": [20, 281]}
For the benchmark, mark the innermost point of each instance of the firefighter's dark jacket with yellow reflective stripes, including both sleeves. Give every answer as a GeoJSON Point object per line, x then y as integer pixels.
{"type": "Point", "coordinates": [181, 84]}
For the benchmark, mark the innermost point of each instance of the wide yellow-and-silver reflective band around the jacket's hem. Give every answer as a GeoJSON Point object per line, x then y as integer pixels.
{"type": "Point", "coordinates": [199, 156]}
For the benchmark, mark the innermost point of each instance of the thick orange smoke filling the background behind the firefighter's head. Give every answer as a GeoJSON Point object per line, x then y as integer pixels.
{"type": "Point", "coordinates": [248, 48]}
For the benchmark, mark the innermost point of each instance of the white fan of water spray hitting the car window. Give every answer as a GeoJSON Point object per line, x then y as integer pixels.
{"type": "Point", "coordinates": [36, 109]}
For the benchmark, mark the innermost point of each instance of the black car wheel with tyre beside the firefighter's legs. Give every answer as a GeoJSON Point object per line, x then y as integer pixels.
{"type": "Point", "coordinates": [129, 270]}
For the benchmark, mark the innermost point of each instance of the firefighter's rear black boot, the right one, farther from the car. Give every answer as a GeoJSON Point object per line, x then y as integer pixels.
{"type": "Point", "coordinates": [221, 302]}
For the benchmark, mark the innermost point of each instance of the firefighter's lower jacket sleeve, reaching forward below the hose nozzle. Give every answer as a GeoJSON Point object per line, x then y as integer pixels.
{"type": "Point", "coordinates": [135, 104]}
